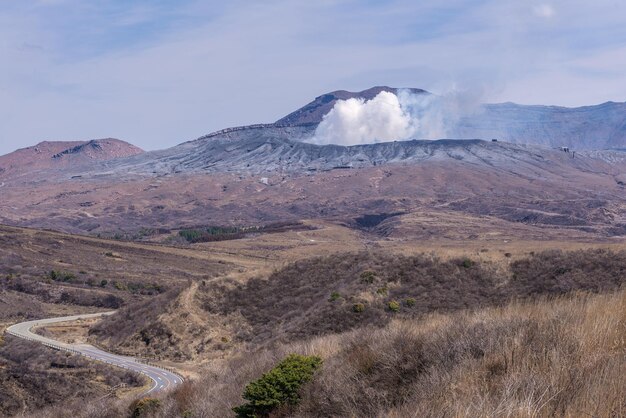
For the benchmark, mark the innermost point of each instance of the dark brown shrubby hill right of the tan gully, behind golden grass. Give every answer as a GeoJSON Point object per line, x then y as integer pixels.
{"type": "Point", "coordinates": [317, 296]}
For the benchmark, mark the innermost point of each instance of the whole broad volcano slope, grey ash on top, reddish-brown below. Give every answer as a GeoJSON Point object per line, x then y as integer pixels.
{"type": "Point", "coordinates": [250, 177]}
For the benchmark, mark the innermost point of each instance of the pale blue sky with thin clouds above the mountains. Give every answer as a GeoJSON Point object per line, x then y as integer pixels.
{"type": "Point", "coordinates": [157, 72]}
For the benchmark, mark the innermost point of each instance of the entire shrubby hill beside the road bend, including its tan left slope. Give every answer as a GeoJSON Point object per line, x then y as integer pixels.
{"type": "Point", "coordinates": [321, 296]}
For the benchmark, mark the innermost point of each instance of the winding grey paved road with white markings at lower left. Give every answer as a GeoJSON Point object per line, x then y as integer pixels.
{"type": "Point", "coordinates": [162, 379]}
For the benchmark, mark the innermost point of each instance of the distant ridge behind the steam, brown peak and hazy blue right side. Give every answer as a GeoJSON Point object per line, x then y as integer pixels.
{"type": "Point", "coordinates": [596, 127]}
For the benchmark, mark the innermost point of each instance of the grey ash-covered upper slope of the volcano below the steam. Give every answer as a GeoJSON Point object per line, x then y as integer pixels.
{"type": "Point", "coordinates": [260, 150]}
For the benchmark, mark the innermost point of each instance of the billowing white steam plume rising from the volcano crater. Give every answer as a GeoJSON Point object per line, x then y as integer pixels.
{"type": "Point", "coordinates": [390, 117]}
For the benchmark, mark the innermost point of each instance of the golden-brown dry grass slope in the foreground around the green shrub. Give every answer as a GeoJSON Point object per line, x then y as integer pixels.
{"type": "Point", "coordinates": [544, 358]}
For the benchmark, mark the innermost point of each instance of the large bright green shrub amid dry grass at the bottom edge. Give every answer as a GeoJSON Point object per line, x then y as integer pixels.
{"type": "Point", "coordinates": [278, 387]}
